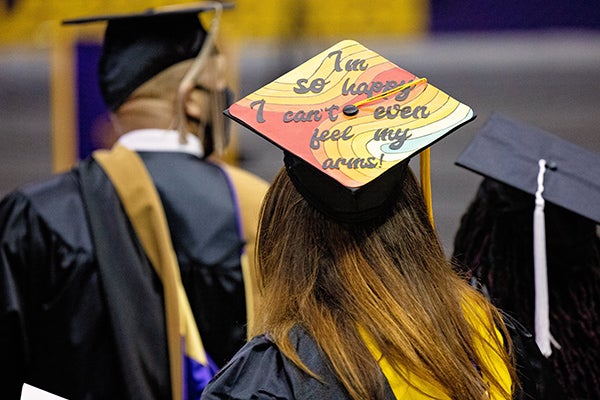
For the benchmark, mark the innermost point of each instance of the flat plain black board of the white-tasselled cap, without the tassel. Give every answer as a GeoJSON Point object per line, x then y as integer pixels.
{"type": "Point", "coordinates": [509, 151]}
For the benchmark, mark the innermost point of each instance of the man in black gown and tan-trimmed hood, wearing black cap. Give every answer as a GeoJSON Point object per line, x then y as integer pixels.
{"type": "Point", "coordinates": [128, 277]}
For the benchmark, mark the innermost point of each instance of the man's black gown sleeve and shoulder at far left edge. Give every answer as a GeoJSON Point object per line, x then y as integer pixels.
{"type": "Point", "coordinates": [55, 331]}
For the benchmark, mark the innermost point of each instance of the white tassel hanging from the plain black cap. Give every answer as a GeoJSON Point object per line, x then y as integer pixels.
{"type": "Point", "coordinates": [542, 312]}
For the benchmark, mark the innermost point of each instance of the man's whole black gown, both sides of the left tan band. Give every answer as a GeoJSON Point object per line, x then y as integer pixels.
{"type": "Point", "coordinates": [58, 328]}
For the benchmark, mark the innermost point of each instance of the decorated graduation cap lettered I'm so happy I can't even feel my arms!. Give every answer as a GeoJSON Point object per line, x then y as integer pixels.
{"type": "Point", "coordinates": [348, 121]}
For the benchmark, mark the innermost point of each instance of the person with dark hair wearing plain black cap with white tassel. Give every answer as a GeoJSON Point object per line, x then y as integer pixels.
{"type": "Point", "coordinates": [530, 238]}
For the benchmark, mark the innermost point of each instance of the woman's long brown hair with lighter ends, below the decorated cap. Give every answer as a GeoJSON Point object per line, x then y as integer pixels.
{"type": "Point", "coordinates": [389, 277]}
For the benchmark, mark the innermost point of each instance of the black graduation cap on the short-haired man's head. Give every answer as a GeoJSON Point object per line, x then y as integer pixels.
{"type": "Point", "coordinates": [137, 46]}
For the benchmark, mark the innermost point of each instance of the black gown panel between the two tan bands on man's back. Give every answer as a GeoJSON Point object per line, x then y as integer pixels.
{"type": "Point", "coordinates": [202, 215]}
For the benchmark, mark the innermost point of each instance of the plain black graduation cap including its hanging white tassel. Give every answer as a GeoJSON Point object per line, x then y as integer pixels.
{"type": "Point", "coordinates": [546, 166]}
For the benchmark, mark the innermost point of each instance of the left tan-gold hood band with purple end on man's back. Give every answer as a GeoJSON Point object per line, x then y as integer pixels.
{"type": "Point", "coordinates": [190, 366]}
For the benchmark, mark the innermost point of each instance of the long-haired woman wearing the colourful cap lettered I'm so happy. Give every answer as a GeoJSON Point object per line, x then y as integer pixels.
{"type": "Point", "coordinates": [359, 299]}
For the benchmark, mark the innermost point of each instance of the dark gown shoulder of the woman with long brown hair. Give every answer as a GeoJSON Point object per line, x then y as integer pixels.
{"type": "Point", "coordinates": [260, 371]}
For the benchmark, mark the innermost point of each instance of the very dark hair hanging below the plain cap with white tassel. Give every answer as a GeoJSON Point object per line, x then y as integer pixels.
{"type": "Point", "coordinates": [494, 244]}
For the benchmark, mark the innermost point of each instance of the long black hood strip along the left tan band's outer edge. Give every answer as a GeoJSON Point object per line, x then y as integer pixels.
{"type": "Point", "coordinates": [133, 292]}
